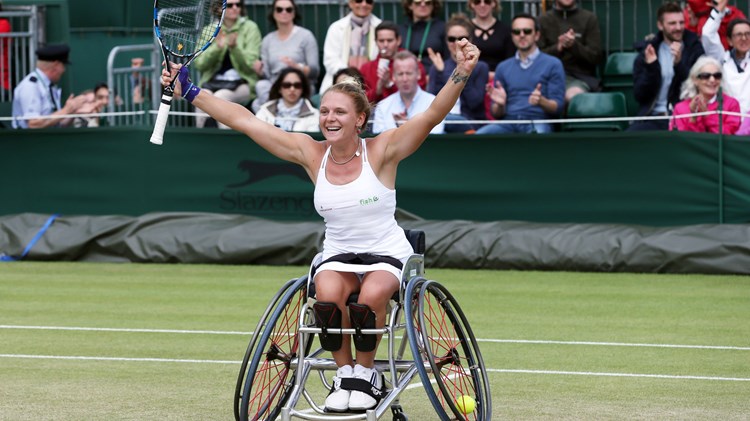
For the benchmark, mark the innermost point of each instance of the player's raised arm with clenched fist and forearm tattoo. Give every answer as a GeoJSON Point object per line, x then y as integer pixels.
{"type": "Point", "coordinates": [406, 139]}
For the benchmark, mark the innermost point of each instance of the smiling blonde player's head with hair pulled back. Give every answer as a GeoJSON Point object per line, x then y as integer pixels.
{"type": "Point", "coordinates": [338, 117]}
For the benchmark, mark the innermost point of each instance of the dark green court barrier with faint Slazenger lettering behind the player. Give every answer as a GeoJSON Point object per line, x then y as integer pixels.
{"type": "Point", "coordinates": [657, 179]}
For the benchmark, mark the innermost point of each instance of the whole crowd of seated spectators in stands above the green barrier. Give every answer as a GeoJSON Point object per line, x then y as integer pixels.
{"type": "Point", "coordinates": [530, 68]}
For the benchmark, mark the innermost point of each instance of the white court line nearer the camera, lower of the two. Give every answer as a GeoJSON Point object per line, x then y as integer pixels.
{"type": "Point", "coordinates": [491, 370]}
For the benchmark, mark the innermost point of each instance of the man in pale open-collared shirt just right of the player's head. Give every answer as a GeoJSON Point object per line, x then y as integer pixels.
{"type": "Point", "coordinates": [409, 99]}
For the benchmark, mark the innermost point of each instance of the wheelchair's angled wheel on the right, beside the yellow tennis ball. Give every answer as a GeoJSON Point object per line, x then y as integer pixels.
{"type": "Point", "coordinates": [446, 352]}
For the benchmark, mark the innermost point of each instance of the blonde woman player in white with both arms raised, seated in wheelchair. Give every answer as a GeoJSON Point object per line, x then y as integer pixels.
{"type": "Point", "coordinates": [364, 249]}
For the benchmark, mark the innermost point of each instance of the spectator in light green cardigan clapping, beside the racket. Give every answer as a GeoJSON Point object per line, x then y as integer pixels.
{"type": "Point", "coordinates": [227, 64]}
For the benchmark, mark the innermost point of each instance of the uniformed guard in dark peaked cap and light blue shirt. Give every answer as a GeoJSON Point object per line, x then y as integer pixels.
{"type": "Point", "coordinates": [36, 95]}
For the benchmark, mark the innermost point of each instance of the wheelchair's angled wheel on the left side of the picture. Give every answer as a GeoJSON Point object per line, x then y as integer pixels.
{"type": "Point", "coordinates": [267, 380]}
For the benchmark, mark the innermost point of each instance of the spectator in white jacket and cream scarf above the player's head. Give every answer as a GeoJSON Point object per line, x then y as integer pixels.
{"type": "Point", "coordinates": [350, 41]}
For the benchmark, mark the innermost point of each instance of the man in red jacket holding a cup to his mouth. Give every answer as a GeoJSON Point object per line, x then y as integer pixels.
{"type": "Point", "coordinates": [377, 73]}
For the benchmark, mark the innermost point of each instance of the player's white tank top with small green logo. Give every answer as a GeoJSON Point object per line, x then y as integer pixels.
{"type": "Point", "coordinates": [360, 215]}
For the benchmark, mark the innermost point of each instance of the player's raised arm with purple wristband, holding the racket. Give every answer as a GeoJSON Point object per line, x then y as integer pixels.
{"type": "Point", "coordinates": [298, 148]}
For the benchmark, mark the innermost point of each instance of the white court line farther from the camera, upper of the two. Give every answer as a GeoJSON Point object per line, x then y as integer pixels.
{"type": "Point", "coordinates": [511, 341]}
